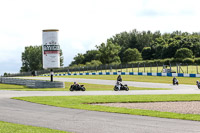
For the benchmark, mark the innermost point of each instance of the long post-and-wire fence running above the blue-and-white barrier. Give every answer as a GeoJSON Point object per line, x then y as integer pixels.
{"type": "Point", "coordinates": [139, 67]}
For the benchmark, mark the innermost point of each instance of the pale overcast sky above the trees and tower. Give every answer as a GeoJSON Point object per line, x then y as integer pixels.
{"type": "Point", "coordinates": [83, 24]}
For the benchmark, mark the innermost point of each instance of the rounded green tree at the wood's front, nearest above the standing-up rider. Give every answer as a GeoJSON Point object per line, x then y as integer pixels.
{"type": "Point", "coordinates": [132, 55]}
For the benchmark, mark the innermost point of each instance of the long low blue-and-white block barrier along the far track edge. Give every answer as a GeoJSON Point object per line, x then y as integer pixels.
{"type": "Point", "coordinates": [131, 73]}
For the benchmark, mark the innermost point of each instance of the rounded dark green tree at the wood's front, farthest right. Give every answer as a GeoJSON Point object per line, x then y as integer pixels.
{"type": "Point", "coordinates": [183, 53]}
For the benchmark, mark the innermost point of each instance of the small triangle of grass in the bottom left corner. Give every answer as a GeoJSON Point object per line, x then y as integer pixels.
{"type": "Point", "coordinates": [6, 127]}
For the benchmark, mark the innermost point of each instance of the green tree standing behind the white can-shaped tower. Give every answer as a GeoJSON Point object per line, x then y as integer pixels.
{"type": "Point", "coordinates": [32, 59]}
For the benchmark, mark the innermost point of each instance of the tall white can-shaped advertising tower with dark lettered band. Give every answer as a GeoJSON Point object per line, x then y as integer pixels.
{"type": "Point", "coordinates": [50, 49]}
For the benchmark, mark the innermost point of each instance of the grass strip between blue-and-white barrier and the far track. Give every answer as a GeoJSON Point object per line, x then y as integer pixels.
{"type": "Point", "coordinates": [138, 78]}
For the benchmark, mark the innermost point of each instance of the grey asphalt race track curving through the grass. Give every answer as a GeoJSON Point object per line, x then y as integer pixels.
{"type": "Point", "coordinates": [83, 121]}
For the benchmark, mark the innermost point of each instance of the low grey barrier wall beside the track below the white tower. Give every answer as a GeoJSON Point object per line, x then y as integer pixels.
{"type": "Point", "coordinates": [32, 83]}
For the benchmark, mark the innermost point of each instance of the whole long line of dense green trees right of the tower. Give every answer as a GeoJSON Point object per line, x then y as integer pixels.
{"type": "Point", "coordinates": [127, 47]}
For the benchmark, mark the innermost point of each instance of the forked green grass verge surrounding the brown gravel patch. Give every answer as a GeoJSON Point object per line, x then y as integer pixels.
{"type": "Point", "coordinates": [84, 102]}
